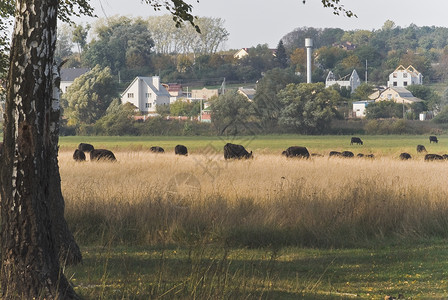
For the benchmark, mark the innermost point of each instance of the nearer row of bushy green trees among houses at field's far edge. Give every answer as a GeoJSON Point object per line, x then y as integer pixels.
{"type": "Point", "coordinates": [281, 100]}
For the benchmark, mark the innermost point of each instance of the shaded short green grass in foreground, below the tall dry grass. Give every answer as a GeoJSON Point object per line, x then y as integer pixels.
{"type": "Point", "coordinates": [416, 271]}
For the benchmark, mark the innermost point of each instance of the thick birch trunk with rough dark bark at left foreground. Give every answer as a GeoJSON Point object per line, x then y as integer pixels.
{"type": "Point", "coordinates": [34, 232]}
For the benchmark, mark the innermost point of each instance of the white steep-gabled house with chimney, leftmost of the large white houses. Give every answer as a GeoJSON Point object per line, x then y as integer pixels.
{"type": "Point", "coordinates": [146, 93]}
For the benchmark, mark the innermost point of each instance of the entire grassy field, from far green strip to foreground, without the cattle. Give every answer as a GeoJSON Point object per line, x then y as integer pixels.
{"type": "Point", "coordinates": [199, 227]}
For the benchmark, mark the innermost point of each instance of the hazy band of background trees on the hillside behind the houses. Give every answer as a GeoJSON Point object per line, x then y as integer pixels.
{"type": "Point", "coordinates": [131, 47]}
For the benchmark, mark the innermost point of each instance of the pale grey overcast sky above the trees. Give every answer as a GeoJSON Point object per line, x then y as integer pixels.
{"type": "Point", "coordinates": [253, 22]}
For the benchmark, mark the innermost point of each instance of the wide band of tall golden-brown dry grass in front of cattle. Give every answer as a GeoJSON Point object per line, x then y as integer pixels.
{"type": "Point", "coordinates": [148, 198]}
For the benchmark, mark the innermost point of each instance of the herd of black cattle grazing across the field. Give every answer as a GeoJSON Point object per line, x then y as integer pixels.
{"type": "Point", "coordinates": [234, 151]}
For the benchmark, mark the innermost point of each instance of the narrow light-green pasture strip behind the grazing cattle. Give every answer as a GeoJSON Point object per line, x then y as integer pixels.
{"type": "Point", "coordinates": [377, 144]}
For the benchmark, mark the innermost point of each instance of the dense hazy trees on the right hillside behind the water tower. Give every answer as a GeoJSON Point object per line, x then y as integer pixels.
{"type": "Point", "coordinates": [383, 49]}
